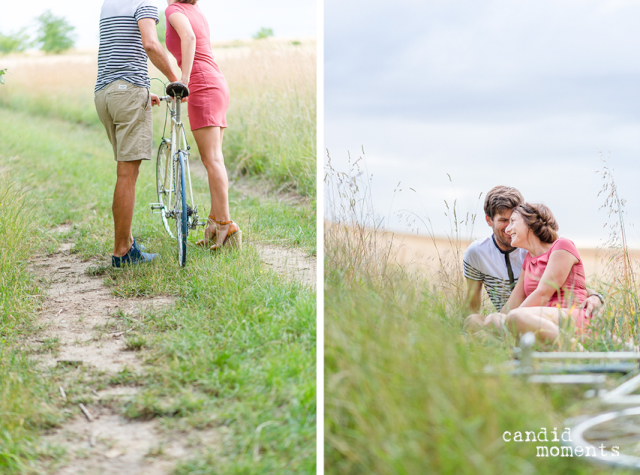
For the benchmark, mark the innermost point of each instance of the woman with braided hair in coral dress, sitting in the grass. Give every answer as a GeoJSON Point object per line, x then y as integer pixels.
{"type": "Point", "coordinates": [552, 285]}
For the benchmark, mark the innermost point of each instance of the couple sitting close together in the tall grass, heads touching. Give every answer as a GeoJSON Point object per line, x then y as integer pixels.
{"type": "Point", "coordinates": [535, 278]}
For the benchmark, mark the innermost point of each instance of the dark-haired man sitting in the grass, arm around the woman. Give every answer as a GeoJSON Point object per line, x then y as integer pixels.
{"type": "Point", "coordinates": [493, 262]}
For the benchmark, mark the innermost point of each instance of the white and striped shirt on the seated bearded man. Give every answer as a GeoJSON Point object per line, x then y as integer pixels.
{"type": "Point", "coordinates": [485, 262]}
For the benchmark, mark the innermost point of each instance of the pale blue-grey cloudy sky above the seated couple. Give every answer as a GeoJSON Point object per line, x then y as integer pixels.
{"type": "Point", "coordinates": [522, 93]}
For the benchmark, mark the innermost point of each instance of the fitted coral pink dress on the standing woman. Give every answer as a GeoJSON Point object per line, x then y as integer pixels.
{"type": "Point", "coordinates": [208, 90]}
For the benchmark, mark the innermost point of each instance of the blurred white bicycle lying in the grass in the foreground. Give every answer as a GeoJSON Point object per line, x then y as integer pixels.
{"type": "Point", "coordinates": [610, 438]}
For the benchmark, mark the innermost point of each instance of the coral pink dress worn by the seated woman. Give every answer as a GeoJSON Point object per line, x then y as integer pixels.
{"type": "Point", "coordinates": [574, 290]}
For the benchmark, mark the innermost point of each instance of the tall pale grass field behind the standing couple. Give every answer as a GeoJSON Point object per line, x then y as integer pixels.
{"type": "Point", "coordinates": [272, 114]}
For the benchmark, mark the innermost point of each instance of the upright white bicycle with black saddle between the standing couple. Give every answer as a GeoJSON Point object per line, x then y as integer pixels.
{"type": "Point", "coordinates": [173, 177]}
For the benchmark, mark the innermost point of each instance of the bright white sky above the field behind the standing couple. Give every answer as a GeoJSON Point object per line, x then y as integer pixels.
{"type": "Point", "coordinates": [228, 19]}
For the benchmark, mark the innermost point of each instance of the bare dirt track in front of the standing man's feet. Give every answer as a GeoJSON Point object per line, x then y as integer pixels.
{"type": "Point", "coordinates": [83, 329]}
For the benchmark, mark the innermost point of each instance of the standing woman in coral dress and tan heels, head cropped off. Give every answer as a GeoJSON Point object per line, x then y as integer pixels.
{"type": "Point", "coordinates": [188, 39]}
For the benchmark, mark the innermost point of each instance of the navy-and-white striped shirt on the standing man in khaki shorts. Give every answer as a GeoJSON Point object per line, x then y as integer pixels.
{"type": "Point", "coordinates": [121, 54]}
